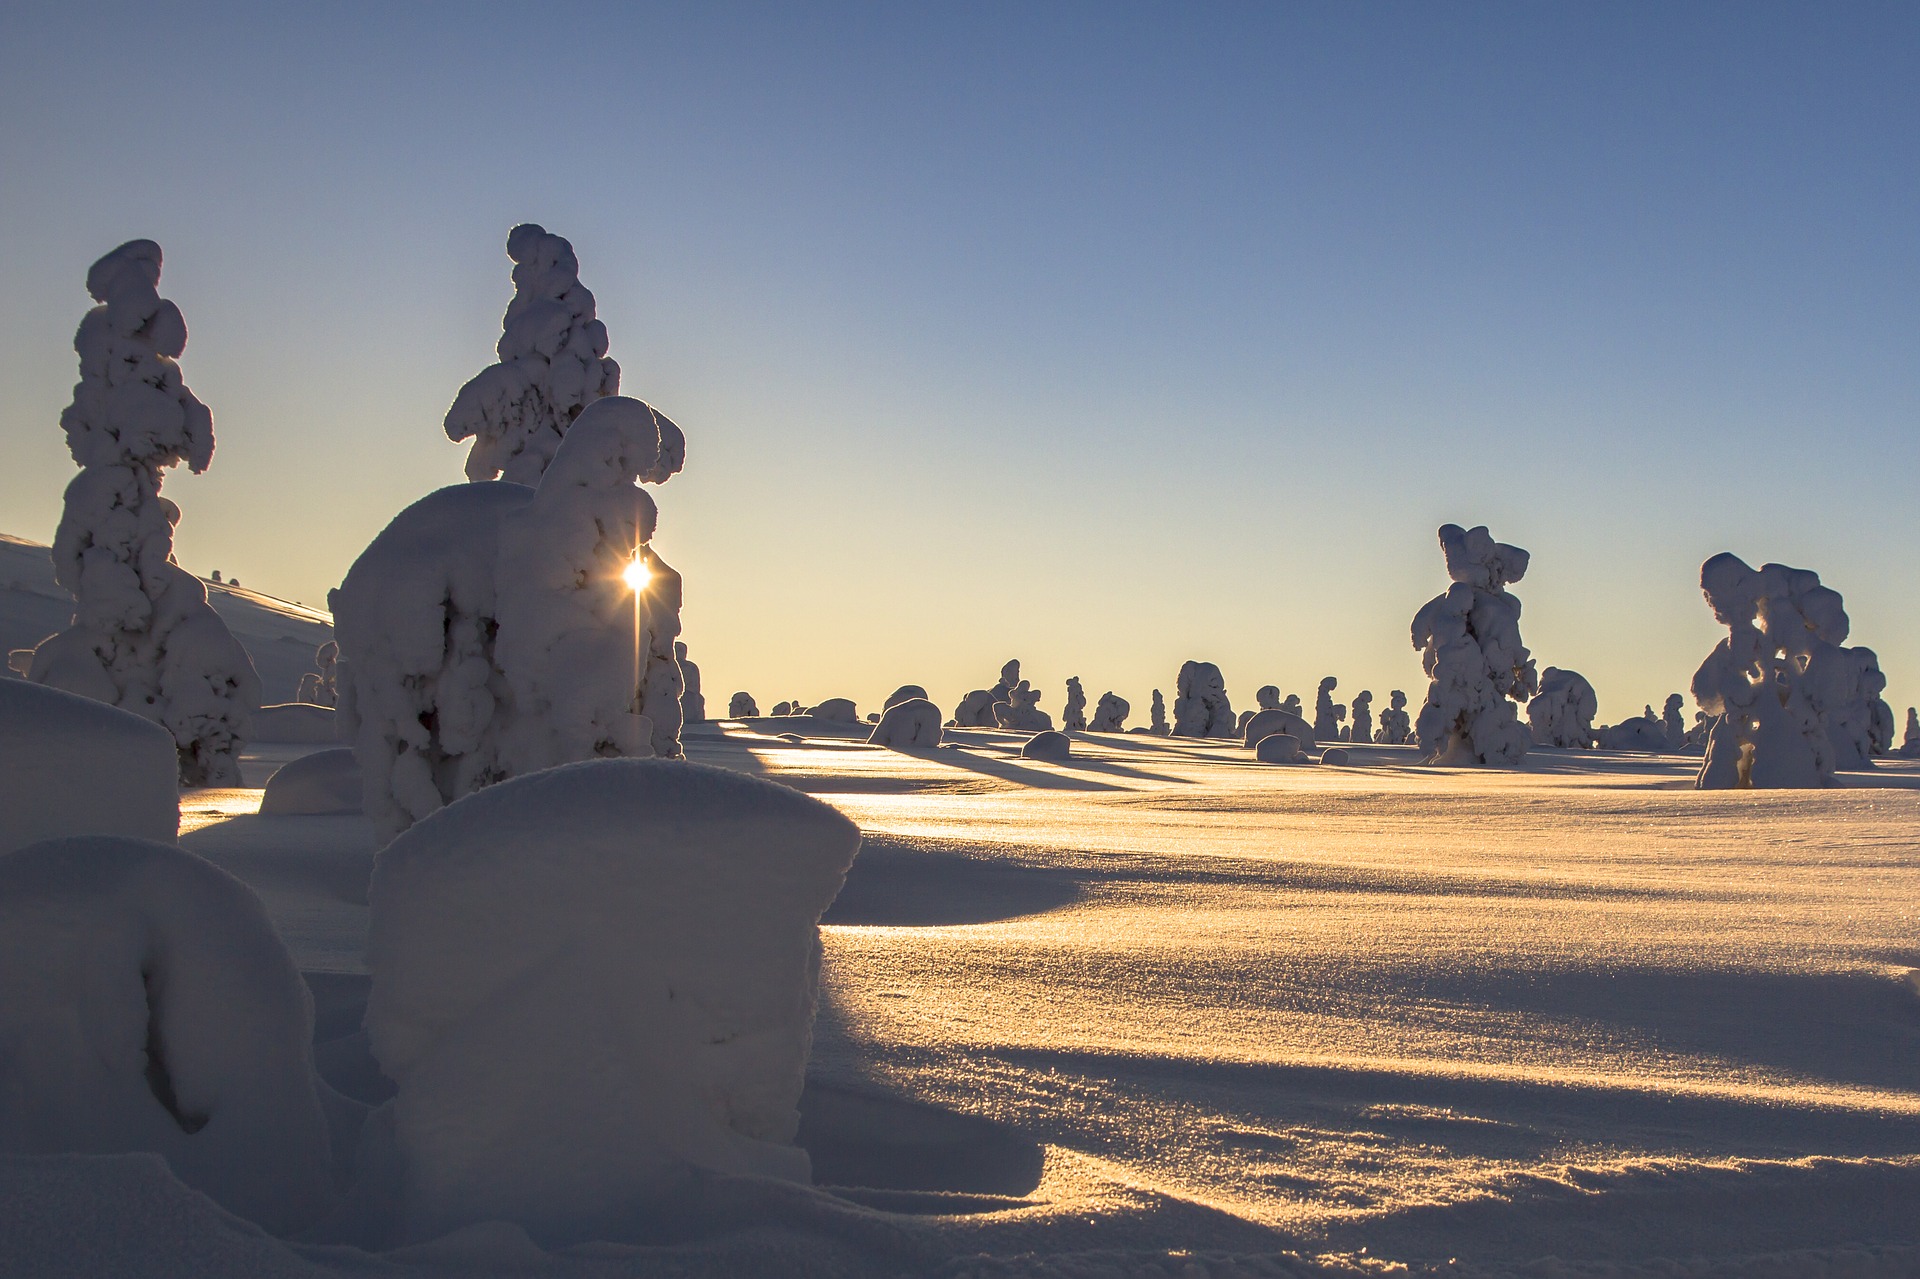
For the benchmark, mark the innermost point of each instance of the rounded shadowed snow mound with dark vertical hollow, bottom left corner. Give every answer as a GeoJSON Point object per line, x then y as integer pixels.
{"type": "Point", "coordinates": [149, 1005]}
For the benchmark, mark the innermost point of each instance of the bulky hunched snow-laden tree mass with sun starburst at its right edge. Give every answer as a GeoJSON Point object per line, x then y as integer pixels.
{"type": "Point", "coordinates": [492, 629]}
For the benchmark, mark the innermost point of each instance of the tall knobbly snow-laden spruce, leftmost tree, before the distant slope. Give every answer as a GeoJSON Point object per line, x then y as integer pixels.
{"type": "Point", "coordinates": [143, 637]}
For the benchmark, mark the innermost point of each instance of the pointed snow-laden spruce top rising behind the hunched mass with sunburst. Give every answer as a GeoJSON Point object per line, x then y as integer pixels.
{"type": "Point", "coordinates": [552, 366]}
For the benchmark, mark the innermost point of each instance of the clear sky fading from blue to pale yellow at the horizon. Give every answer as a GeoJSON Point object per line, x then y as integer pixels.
{"type": "Point", "coordinates": [1097, 335]}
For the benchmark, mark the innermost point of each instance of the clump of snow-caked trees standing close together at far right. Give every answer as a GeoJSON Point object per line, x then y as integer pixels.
{"type": "Point", "coordinates": [1779, 685]}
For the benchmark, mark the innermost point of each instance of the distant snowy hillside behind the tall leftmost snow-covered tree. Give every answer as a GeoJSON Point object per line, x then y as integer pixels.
{"type": "Point", "coordinates": [277, 635]}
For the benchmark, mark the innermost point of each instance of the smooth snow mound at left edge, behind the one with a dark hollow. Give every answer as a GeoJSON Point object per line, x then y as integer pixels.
{"type": "Point", "coordinates": [78, 767]}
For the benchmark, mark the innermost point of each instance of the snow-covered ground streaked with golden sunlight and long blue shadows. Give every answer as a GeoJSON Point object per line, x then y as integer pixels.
{"type": "Point", "coordinates": [1159, 1009]}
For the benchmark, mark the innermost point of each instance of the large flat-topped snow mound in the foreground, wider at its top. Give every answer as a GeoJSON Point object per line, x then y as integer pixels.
{"type": "Point", "coordinates": [590, 980]}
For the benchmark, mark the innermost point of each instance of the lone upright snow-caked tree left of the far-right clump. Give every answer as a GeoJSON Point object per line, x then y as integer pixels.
{"type": "Point", "coordinates": [1472, 650]}
